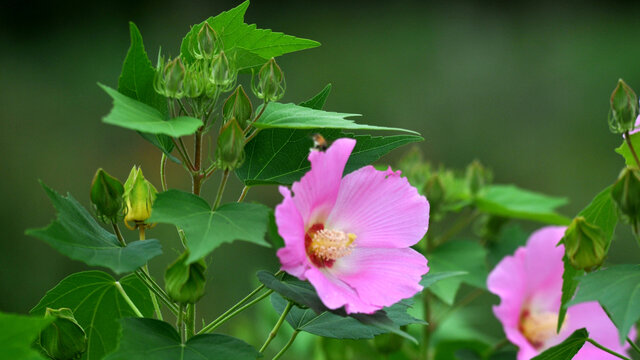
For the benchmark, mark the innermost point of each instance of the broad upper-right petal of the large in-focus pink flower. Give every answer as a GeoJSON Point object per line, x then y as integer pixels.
{"type": "Point", "coordinates": [381, 208]}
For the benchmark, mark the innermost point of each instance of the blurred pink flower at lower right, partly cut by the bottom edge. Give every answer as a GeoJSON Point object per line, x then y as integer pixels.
{"type": "Point", "coordinates": [529, 285]}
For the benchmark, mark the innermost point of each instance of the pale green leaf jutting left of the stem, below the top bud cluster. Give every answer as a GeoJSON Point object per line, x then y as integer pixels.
{"type": "Point", "coordinates": [134, 115]}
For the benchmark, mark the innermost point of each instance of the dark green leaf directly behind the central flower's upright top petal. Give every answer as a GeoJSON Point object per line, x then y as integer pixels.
{"type": "Point", "coordinates": [279, 156]}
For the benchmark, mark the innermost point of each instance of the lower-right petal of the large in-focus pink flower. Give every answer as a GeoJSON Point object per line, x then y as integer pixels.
{"type": "Point", "coordinates": [381, 277]}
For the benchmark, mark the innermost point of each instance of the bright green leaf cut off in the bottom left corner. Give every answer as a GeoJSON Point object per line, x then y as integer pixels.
{"type": "Point", "coordinates": [18, 334]}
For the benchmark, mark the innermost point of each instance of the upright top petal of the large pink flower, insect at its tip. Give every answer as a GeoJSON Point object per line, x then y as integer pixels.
{"type": "Point", "coordinates": [317, 190]}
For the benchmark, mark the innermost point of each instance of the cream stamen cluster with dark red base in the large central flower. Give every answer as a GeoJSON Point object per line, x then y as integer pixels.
{"type": "Point", "coordinates": [325, 246]}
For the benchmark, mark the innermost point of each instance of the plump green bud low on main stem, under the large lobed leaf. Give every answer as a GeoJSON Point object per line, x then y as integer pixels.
{"type": "Point", "coordinates": [185, 283]}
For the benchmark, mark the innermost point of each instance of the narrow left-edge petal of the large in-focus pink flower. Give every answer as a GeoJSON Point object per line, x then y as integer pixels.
{"type": "Point", "coordinates": [292, 256]}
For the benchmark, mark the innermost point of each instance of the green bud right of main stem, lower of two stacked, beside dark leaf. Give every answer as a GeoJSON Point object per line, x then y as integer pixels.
{"type": "Point", "coordinates": [230, 146]}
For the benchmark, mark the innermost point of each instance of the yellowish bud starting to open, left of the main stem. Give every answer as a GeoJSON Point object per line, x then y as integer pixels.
{"type": "Point", "coordinates": [139, 195]}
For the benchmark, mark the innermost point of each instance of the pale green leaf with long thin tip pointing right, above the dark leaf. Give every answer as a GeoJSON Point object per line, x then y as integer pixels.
{"type": "Point", "coordinates": [292, 116]}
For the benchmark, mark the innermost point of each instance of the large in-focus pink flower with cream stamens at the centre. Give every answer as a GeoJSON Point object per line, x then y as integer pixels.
{"type": "Point", "coordinates": [350, 236]}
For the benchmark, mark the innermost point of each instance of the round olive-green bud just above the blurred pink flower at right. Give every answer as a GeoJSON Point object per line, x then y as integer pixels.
{"type": "Point", "coordinates": [586, 245]}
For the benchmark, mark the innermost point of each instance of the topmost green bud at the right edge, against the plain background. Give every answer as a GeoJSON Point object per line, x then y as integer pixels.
{"type": "Point", "coordinates": [624, 108]}
